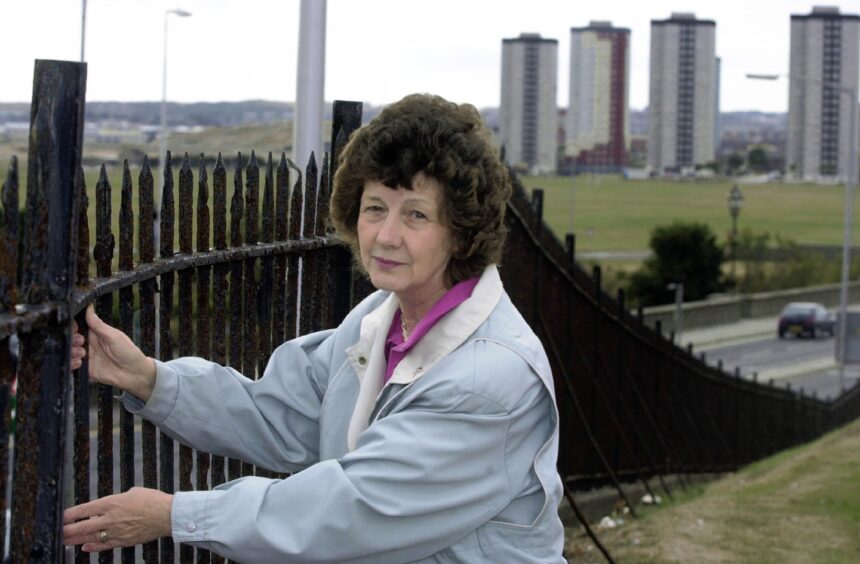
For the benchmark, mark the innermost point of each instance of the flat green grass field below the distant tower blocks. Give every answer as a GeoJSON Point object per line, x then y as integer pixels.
{"type": "Point", "coordinates": [608, 213]}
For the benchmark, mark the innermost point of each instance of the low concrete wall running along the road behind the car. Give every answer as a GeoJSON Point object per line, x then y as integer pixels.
{"type": "Point", "coordinates": [728, 309]}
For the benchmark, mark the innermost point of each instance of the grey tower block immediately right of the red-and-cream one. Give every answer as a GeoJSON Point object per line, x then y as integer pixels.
{"type": "Point", "coordinates": [683, 100]}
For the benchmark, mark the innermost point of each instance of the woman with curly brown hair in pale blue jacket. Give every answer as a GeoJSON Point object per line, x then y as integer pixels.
{"type": "Point", "coordinates": [423, 428]}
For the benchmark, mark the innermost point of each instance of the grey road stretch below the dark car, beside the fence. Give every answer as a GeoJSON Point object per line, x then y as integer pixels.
{"type": "Point", "coordinates": [802, 363]}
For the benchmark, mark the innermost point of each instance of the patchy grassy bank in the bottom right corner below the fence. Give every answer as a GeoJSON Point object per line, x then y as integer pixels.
{"type": "Point", "coordinates": [802, 505]}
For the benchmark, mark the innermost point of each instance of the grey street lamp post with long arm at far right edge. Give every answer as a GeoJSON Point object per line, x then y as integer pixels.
{"type": "Point", "coordinates": [850, 182]}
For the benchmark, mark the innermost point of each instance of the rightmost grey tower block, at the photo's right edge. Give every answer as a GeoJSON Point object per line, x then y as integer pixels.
{"type": "Point", "coordinates": [824, 54]}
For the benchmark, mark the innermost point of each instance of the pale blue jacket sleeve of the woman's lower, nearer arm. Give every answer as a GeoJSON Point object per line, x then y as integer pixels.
{"type": "Point", "coordinates": [420, 480]}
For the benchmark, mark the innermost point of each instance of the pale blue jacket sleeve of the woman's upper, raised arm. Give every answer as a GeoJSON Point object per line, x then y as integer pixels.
{"type": "Point", "coordinates": [272, 422]}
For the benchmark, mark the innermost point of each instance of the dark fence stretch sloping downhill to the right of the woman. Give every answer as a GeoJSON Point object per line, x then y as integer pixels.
{"type": "Point", "coordinates": [633, 405]}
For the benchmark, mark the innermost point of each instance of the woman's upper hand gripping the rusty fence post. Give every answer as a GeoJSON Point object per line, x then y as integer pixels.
{"type": "Point", "coordinates": [113, 358]}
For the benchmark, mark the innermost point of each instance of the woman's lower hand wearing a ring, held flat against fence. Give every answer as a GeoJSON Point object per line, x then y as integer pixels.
{"type": "Point", "coordinates": [134, 517]}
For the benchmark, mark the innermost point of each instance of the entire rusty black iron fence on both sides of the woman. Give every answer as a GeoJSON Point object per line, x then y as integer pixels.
{"type": "Point", "coordinates": [633, 406]}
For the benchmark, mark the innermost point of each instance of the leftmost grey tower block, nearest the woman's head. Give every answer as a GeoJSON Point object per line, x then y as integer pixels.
{"type": "Point", "coordinates": [528, 116]}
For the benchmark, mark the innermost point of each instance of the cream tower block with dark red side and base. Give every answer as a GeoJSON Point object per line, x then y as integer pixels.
{"type": "Point", "coordinates": [597, 117]}
